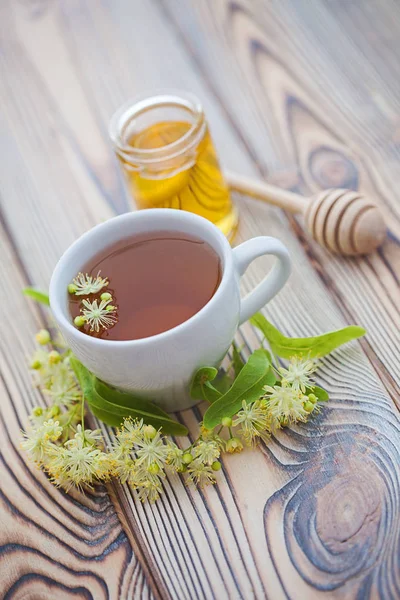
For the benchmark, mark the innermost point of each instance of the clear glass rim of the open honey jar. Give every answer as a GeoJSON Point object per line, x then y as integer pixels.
{"type": "Point", "coordinates": [138, 105]}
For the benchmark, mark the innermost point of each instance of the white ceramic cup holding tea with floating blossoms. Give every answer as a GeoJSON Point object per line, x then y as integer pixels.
{"type": "Point", "coordinates": [161, 367]}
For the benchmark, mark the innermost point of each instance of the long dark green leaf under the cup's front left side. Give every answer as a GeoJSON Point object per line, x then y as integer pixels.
{"type": "Point", "coordinates": [112, 406]}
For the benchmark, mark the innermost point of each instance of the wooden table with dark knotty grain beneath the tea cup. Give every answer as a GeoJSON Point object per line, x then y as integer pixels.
{"type": "Point", "coordinates": [305, 93]}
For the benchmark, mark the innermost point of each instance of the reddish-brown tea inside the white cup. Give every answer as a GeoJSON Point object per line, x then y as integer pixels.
{"type": "Point", "coordinates": [157, 280]}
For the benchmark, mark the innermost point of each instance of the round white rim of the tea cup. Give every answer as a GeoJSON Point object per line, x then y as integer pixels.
{"type": "Point", "coordinates": [55, 290]}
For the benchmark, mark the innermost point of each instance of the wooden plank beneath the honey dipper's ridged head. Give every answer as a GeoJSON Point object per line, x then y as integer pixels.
{"type": "Point", "coordinates": [294, 106]}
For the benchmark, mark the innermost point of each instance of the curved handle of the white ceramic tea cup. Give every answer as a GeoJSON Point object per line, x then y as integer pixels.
{"type": "Point", "coordinates": [243, 255]}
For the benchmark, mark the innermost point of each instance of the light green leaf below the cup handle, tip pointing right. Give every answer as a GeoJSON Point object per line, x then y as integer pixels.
{"type": "Point", "coordinates": [311, 347]}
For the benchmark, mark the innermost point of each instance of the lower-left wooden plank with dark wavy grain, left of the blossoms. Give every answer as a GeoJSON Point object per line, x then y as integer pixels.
{"type": "Point", "coordinates": [53, 544]}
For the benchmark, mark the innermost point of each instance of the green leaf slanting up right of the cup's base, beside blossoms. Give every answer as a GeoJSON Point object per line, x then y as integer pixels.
{"type": "Point", "coordinates": [247, 386]}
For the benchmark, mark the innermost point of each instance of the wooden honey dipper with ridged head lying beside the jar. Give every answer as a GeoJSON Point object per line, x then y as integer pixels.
{"type": "Point", "coordinates": [341, 220]}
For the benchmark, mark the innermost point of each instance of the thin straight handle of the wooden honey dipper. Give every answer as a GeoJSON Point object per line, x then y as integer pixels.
{"type": "Point", "coordinates": [264, 191]}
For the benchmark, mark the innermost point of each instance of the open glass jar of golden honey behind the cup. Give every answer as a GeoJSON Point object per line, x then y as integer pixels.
{"type": "Point", "coordinates": [169, 160]}
